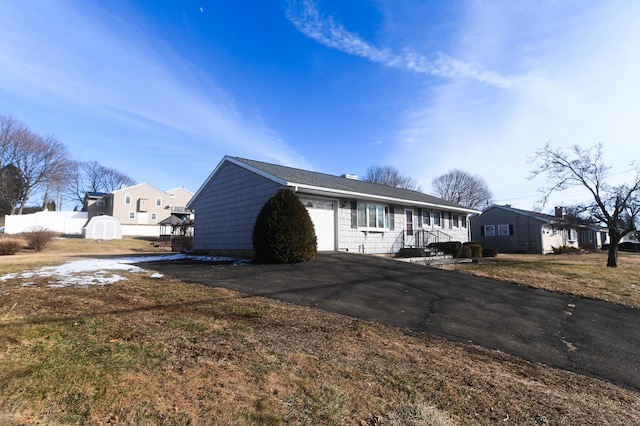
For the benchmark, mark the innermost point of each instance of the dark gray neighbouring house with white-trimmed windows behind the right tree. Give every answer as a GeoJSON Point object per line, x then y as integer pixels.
{"type": "Point", "coordinates": [511, 230]}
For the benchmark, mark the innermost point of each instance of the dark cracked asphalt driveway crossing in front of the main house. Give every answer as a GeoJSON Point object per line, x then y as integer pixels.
{"type": "Point", "coordinates": [585, 336]}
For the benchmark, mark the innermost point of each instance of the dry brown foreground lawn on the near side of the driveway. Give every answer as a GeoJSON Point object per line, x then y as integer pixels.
{"type": "Point", "coordinates": [158, 351]}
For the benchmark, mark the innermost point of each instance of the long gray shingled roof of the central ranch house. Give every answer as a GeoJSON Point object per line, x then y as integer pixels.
{"type": "Point", "coordinates": [343, 186]}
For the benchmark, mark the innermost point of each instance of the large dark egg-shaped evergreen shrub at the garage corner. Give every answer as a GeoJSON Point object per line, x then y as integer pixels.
{"type": "Point", "coordinates": [284, 232]}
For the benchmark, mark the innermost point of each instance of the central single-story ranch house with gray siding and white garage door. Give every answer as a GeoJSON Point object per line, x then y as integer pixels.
{"type": "Point", "coordinates": [348, 214]}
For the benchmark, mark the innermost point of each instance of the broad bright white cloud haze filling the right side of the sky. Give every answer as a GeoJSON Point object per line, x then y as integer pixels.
{"type": "Point", "coordinates": [582, 89]}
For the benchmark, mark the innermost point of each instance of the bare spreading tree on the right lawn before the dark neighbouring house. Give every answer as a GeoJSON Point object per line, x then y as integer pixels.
{"type": "Point", "coordinates": [617, 207]}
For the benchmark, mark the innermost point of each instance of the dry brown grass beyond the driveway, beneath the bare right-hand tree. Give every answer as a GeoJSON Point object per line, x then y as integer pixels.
{"type": "Point", "coordinates": [579, 274]}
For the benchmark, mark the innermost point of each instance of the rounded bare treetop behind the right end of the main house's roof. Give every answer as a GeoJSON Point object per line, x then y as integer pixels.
{"type": "Point", "coordinates": [462, 188]}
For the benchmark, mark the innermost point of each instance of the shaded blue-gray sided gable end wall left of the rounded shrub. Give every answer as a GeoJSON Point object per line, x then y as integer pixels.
{"type": "Point", "coordinates": [227, 208]}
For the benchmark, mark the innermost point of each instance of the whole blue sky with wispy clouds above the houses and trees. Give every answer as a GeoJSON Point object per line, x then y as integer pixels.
{"type": "Point", "coordinates": [161, 90]}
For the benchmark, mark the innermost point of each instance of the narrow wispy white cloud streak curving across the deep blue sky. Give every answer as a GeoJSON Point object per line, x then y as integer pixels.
{"type": "Point", "coordinates": [306, 17]}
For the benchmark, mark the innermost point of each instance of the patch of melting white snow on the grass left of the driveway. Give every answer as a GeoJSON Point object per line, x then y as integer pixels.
{"type": "Point", "coordinates": [98, 271]}
